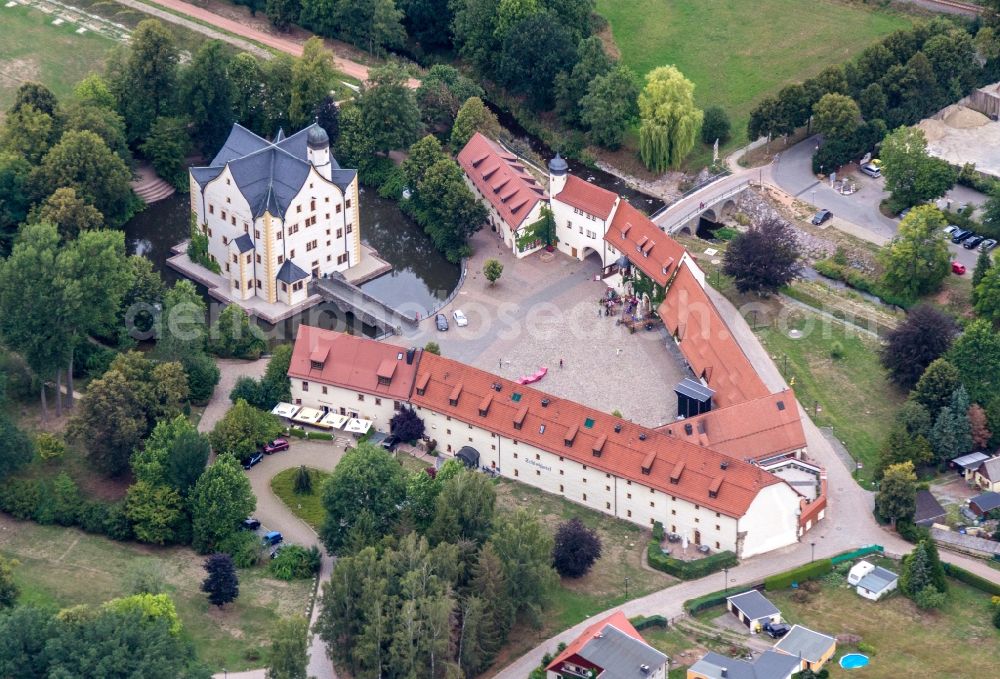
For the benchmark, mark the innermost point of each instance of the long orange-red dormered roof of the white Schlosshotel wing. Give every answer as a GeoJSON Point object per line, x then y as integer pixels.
{"type": "Point", "coordinates": [633, 452]}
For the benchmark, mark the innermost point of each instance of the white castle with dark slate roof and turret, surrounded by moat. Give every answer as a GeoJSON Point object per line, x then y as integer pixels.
{"type": "Point", "coordinates": [277, 213]}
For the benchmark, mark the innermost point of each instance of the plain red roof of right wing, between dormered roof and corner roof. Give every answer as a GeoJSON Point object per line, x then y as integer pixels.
{"type": "Point", "coordinates": [709, 347]}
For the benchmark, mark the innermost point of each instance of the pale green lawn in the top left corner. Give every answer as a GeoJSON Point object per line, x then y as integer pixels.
{"type": "Point", "coordinates": [32, 49]}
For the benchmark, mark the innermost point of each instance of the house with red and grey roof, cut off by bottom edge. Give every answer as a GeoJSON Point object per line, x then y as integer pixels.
{"type": "Point", "coordinates": [609, 649]}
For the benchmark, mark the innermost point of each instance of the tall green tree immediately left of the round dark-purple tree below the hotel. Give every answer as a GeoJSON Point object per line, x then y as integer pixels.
{"type": "Point", "coordinates": [525, 550]}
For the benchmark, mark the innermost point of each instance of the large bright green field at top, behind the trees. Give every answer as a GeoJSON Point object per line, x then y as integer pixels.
{"type": "Point", "coordinates": [738, 52]}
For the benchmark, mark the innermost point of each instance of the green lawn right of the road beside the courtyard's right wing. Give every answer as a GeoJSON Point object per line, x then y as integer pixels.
{"type": "Point", "coordinates": [852, 391]}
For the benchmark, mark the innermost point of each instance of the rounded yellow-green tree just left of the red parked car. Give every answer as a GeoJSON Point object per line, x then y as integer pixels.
{"type": "Point", "coordinates": [917, 260]}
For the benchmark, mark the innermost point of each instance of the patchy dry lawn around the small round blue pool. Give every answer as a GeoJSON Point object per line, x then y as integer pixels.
{"type": "Point", "coordinates": [908, 642]}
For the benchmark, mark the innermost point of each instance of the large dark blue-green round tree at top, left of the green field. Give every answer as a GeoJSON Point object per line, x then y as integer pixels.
{"type": "Point", "coordinates": [532, 54]}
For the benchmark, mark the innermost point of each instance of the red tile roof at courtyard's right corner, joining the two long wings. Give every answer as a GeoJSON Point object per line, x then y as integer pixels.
{"type": "Point", "coordinates": [753, 429]}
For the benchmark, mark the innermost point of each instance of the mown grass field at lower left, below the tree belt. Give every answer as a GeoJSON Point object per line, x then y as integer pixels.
{"type": "Point", "coordinates": [62, 567]}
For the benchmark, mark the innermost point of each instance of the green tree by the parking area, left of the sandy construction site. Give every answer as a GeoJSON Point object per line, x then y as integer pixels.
{"type": "Point", "coordinates": [911, 175]}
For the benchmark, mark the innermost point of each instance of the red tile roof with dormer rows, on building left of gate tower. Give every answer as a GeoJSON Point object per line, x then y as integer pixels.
{"type": "Point", "coordinates": [501, 178]}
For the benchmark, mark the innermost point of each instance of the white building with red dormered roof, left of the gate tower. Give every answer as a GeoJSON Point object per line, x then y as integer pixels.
{"type": "Point", "coordinates": [511, 194]}
